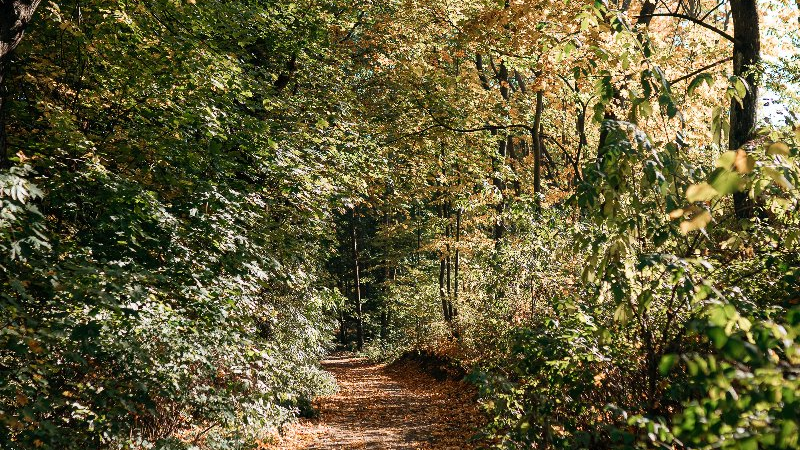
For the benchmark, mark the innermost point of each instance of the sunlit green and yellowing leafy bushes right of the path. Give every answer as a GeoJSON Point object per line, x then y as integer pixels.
{"type": "Point", "coordinates": [667, 300]}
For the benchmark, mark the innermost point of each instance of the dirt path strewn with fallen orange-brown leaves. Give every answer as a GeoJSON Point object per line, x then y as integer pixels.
{"type": "Point", "coordinates": [379, 406]}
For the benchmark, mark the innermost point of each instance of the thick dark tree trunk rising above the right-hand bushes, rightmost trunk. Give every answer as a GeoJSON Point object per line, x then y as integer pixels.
{"type": "Point", "coordinates": [746, 57]}
